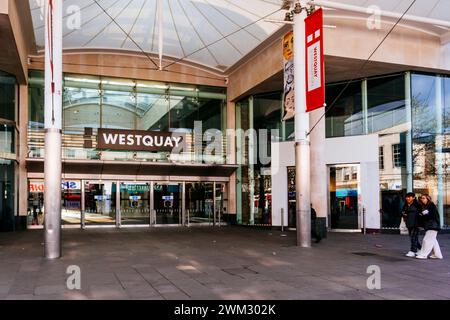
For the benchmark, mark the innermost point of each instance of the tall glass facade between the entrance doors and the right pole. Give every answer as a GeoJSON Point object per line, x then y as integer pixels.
{"type": "Point", "coordinates": [259, 117]}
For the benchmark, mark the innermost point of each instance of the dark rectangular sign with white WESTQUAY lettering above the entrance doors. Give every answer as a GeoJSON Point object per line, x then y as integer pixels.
{"type": "Point", "coordinates": [130, 140]}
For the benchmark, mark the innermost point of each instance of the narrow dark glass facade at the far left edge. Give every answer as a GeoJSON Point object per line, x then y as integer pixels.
{"type": "Point", "coordinates": [8, 134]}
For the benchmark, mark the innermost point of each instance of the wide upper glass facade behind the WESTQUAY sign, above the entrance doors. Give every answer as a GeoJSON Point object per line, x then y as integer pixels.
{"type": "Point", "coordinates": [93, 102]}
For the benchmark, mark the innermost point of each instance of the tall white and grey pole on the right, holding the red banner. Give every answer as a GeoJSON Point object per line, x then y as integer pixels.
{"type": "Point", "coordinates": [302, 142]}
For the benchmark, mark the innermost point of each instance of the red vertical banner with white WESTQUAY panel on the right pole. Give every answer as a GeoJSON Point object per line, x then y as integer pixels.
{"type": "Point", "coordinates": [315, 65]}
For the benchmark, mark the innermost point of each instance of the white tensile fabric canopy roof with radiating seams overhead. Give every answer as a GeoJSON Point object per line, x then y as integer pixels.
{"type": "Point", "coordinates": [213, 33]}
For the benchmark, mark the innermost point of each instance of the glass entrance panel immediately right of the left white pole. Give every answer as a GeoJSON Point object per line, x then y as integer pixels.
{"type": "Point", "coordinates": [71, 204]}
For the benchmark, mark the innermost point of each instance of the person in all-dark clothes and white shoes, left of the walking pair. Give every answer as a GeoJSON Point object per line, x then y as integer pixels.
{"type": "Point", "coordinates": [410, 214]}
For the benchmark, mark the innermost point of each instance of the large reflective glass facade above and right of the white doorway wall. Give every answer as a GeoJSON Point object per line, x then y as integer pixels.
{"type": "Point", "coordinates": [410, 114]}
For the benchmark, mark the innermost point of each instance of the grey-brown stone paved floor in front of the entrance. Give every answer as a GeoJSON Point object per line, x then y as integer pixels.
{"type": "Point", "coordinates": [227, 263]}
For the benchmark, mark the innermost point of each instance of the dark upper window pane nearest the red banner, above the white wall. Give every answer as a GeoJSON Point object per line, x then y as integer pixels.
{"type": "Point", "coordinates": [345, 118]}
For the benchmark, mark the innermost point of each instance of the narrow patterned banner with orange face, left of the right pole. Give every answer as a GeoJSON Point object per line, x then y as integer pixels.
{"type": "Point", "coordinates": [288, 54]}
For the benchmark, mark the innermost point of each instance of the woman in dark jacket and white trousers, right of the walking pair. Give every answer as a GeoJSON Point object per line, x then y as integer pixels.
{"type": "Point", "coordinates": [431, 222]}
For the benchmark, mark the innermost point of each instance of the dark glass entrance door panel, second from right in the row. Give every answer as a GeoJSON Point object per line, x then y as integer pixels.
{"type": "Point", "coordinates": [199, 202]}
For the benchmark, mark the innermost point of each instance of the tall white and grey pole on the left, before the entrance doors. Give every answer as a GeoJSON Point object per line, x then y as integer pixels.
{"type": "Point", "coordinates": [53, 127]}
